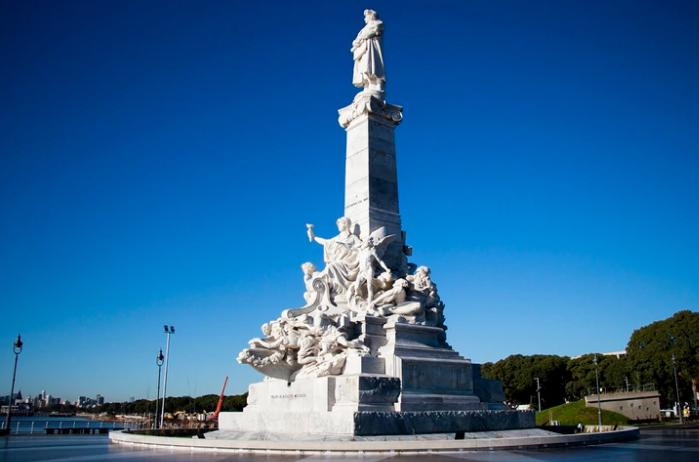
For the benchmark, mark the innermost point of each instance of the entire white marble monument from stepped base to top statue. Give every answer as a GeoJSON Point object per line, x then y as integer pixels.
{"type": "Point", "coordinates": [367, 354]}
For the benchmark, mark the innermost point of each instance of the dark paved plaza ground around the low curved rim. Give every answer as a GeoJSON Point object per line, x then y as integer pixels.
{"type": "Point", "coordinates": [654, 445]}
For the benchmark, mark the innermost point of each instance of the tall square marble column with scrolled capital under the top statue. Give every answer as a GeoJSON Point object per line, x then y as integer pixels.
{"type": "Point", "coordinates": [371, 181]}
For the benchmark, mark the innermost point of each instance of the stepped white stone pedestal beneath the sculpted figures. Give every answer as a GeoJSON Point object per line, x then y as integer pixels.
{"type": "Point", "coordinates": [412, 382]}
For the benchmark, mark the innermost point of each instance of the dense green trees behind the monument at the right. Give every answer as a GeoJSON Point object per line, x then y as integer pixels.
{"type": "Point", "coordinates": [648, 363]}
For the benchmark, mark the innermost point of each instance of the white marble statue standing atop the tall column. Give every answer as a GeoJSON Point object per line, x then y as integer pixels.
{"type": "Point", "coordinates": [368, 54]}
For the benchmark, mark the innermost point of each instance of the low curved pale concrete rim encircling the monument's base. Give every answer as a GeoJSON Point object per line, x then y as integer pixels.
{"type": "Point", "coordinates": [368, 447]}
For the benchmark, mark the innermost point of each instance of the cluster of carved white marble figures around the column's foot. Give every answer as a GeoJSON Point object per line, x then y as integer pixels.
{"type": "Point", "coordinates": [316, 339]}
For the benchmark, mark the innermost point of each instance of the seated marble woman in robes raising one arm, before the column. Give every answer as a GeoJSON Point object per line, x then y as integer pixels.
{"type": "Point", "coordinates": [339, 254]}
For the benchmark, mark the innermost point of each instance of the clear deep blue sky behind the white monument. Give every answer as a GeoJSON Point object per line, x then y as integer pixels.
{"type": "Point", "coordinates": [159, 161]}
